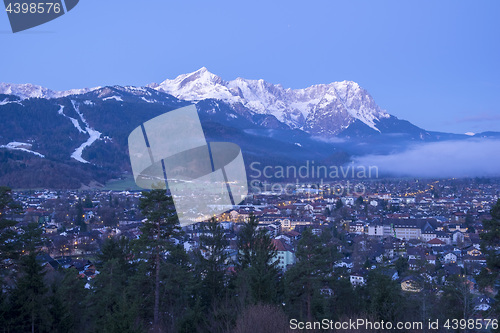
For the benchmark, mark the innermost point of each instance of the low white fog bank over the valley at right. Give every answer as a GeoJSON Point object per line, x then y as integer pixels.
{"type": "Point", "coordinates": [467, 158]}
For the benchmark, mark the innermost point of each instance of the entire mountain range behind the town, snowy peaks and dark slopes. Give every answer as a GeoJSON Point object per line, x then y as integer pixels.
{"type": "Point", "coordinates": [69, 139]}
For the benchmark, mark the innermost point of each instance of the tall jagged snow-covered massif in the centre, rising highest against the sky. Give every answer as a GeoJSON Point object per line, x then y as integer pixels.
{"type": "Point", "coordinates": [343, 101]}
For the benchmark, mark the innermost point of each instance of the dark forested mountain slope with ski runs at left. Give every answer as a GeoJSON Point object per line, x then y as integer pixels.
{"type": "Point", "coordinates": [55, 128]}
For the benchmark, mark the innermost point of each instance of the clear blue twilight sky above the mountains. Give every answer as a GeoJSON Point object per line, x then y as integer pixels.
{"type": "Point", "coordinates": [434, 63]}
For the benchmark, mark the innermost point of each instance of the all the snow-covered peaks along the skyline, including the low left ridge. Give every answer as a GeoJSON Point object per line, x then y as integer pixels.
{"type": "Point", "coordinates": [322, 109]}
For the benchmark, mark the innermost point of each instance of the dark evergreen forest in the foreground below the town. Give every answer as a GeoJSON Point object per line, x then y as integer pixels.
{"type": "Point", "coordinates": [152, 284]}
